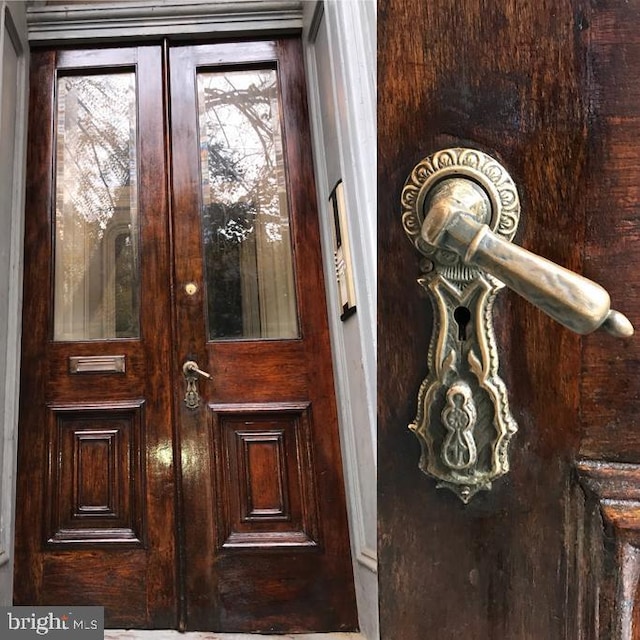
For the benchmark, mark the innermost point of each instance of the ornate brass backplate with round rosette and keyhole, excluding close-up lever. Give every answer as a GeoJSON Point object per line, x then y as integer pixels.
{"type": "Point", "coordinates": [463, 420]}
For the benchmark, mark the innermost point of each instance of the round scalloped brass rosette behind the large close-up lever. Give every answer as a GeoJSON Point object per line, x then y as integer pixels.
{"type": "Point", "coordinates": [459, 163]}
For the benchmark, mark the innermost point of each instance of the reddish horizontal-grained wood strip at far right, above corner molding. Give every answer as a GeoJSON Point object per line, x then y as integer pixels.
{"type": "Point", "coordinates": [610, 383]}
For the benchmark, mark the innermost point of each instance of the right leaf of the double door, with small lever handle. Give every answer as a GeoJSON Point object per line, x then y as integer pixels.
{"type": "Point", "coordinates": [264, 507]}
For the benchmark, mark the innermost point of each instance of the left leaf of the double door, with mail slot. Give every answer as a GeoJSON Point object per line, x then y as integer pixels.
{"type": "Point", "coordinates": [95, 486]}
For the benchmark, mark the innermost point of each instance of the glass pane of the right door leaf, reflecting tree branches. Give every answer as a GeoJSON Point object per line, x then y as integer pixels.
{"type": "Point", "coordinates": [245, 215]}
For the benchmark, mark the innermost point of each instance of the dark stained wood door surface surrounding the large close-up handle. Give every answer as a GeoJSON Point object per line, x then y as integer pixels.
{"type": "Point", "coordinates": [551, 90]}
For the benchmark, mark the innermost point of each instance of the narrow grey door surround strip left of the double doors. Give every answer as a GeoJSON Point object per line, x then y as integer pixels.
{"type": "Point", "coordinates": [13, 101]}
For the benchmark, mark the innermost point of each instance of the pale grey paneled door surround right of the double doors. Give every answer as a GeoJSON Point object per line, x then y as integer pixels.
{"type": "Point", "coordinates": [340, 53]}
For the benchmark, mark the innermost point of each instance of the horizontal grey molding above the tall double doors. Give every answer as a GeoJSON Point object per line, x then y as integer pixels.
{"type": "Point", "coordinates": [91, 21]}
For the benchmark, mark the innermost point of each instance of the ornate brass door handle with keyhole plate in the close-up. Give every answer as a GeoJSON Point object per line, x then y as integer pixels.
{"type": "Point", "coordinates": [461, 210]}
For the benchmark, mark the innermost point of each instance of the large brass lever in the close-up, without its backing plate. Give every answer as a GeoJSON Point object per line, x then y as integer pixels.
{"type": "Point", "coordinates": [453, 222]}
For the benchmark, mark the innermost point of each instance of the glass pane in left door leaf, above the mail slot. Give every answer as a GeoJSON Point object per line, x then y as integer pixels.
{"type": "Point", "coordinates": [96, 230]}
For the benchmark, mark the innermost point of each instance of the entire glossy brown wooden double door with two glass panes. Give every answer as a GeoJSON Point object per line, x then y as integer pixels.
{"type": "Point", "coordinates": [171, 233]}
